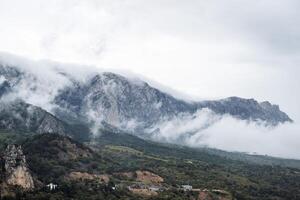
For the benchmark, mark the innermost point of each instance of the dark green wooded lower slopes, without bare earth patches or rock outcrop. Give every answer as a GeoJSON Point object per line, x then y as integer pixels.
{"type": "Point", "coordinates": [52, 157]}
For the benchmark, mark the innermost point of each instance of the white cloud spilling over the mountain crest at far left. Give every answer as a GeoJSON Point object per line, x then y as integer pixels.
{"type": "Point", "coordinates": [40, 81]}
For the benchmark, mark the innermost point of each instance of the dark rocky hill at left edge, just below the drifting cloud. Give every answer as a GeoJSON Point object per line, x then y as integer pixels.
{"type": "Point", "coordinates": [19, 116]}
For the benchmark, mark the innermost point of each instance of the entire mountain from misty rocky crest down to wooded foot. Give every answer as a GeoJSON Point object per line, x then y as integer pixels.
{"type": "Point", "coordinates": [80, 134]}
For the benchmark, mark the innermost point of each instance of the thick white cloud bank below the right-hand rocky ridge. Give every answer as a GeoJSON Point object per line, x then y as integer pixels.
{"type": "Point", "coordinates": [208, 129]}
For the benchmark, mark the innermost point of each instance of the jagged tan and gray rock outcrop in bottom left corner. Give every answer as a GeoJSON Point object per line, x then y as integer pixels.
{"type": "Point", "coordinates": [15, 168]}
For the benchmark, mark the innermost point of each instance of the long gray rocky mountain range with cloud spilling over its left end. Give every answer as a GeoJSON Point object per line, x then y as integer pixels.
{"type": "Point", "coordinates": [101, 100]}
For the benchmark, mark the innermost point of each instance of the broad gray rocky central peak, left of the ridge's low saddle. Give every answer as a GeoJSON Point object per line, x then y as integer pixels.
{"type": "Point", "coordinates": [116, 100]}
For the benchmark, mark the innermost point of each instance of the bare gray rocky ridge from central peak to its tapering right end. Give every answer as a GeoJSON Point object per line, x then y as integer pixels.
{"type": "Point", "coordinates": [117, 101]}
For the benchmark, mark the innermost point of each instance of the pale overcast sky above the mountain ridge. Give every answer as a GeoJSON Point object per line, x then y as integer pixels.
{"type": "Point", "coordinates": [207, 49]}
